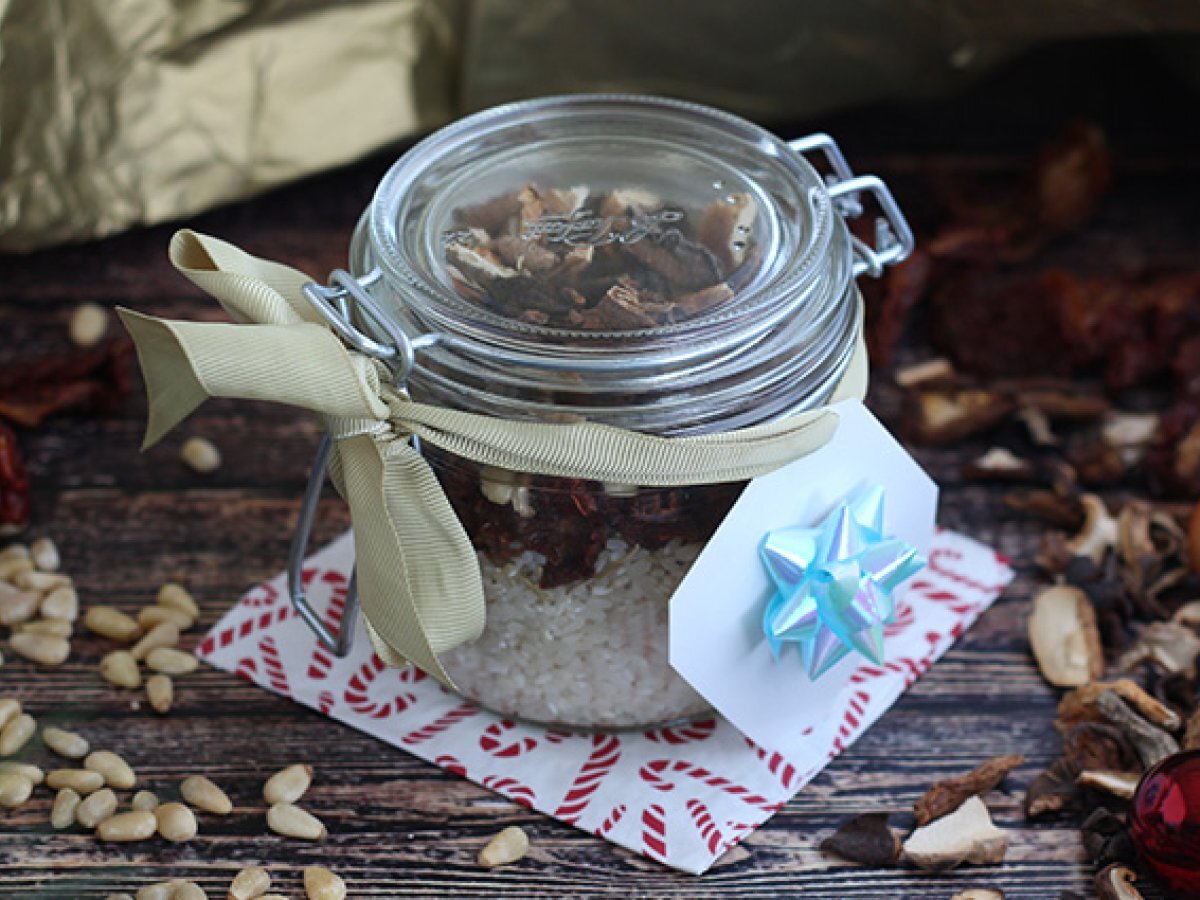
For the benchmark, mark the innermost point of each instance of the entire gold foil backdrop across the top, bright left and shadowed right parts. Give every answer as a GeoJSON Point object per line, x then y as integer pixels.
{"type": "Point", "coordinates": [123, 112]}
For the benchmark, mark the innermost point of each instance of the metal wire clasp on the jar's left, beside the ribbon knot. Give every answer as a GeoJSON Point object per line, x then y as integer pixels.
{"type": "Point", "coordinates": [340, 304]}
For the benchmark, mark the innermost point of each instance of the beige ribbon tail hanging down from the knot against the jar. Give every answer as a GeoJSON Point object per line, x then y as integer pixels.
{"type": "Point", "coordinates": [418, 577]}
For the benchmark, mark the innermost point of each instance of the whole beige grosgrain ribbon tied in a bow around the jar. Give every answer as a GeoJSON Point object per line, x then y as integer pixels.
{"type": "Point", "coordinates": [418, 575]}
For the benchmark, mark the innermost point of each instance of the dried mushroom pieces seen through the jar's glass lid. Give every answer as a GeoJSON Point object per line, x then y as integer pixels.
{"type": "Point", "coordinates": [601, 261]}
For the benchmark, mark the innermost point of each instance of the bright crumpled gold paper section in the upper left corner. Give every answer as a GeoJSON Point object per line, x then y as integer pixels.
{"type": "Point", "coordinates": [124, 112]}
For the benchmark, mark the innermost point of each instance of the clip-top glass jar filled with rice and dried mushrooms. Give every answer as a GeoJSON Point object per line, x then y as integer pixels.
{"type": "Point", "coordinates": [638, 262]}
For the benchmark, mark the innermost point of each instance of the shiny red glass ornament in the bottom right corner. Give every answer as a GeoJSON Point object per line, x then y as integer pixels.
{"type": "Point", "coordinates": [1166, 823]}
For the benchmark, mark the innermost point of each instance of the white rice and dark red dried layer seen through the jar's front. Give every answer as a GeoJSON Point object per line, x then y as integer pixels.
{"type": "Point", "coordinates": [578, 577]}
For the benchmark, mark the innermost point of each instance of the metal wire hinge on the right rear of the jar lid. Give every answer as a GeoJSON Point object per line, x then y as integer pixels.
{"type": "Point", "coordinates": [893, 237]}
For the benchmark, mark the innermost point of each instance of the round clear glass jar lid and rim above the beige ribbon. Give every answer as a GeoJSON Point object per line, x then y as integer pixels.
{"type": "Point", "coordinates": [635, 261]}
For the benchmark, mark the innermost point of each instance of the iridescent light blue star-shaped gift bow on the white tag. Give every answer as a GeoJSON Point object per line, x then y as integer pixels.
{"type": "Point", "coordinates": [835, 584]}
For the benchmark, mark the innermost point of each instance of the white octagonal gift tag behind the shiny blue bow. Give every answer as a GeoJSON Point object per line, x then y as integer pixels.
{"type": "Point", "coordinates": [717, 639]}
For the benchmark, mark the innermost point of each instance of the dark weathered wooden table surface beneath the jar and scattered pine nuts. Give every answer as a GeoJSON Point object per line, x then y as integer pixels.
{"type": "Point", "coordinates": [400, 827]}
